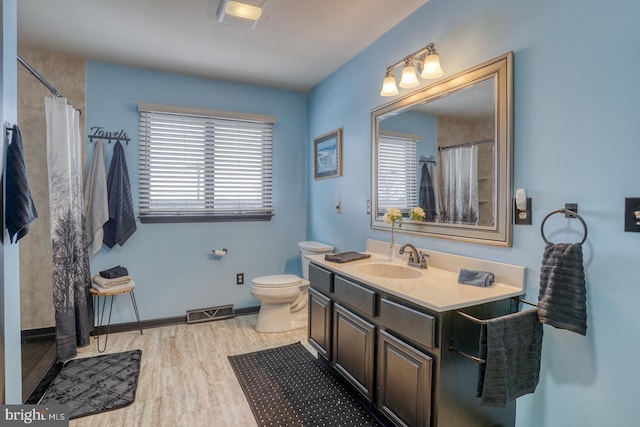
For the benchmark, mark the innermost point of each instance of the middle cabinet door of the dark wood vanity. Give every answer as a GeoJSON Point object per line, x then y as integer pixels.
{"type": "Point", "coordinates": [353, 349]}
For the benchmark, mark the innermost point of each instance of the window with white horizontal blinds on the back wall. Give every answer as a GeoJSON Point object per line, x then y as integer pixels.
{"type": "Point", "coordinates": [202, 165]}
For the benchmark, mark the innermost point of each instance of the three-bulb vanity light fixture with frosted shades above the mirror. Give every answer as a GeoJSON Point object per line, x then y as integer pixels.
{"type": "Point", "coordinates": [429, 66]}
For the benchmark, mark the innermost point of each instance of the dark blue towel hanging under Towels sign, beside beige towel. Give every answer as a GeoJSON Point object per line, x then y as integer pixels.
{"type": "Point", "coordinates": [122, 222]}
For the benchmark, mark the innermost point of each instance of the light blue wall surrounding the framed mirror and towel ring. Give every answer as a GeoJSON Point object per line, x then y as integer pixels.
{"type": "Point", "coordinates": [576, 129]}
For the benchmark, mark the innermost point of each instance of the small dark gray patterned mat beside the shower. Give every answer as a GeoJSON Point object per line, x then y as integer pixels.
{"type": "Point", "coordinates": [96, 384]}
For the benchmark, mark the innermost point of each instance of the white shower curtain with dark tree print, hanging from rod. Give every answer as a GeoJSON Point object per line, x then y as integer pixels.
{"type": "Point", "coordinates": [71, 276]}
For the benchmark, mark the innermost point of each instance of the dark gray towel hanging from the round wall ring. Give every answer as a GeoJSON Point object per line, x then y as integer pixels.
{"type": "Point", "coordinates": [562, 301]}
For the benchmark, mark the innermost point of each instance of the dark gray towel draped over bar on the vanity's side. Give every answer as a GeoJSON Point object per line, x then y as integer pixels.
{"type": "Point", "coordinates": [511, 346]}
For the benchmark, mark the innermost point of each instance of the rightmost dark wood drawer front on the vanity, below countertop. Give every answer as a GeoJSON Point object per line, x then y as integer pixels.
{"type": "Point", "coordinates": [412, 324]}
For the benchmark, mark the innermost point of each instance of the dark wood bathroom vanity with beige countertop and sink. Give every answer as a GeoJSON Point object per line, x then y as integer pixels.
{"type": "Point", "coordinates": [388, 330]}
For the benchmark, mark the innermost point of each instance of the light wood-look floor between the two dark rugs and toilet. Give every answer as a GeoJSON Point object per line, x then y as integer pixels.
{"type": "Point", "coordinates": [185, 376]}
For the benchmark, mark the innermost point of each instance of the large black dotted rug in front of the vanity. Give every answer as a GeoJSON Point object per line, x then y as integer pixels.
{"type": "Point", "coordinates": [287, 386]}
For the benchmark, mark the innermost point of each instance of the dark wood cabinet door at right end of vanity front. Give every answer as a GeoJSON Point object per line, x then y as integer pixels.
{"type": "Point", "coordinates": [404, 382]}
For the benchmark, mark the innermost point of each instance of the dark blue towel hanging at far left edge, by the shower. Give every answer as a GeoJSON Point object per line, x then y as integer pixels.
{"type": "Point", "coordinates": [21, 210]}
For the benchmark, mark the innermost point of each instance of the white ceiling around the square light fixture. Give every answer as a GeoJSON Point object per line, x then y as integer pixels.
{"type": "Point", "coordinates": [295, 46]}
